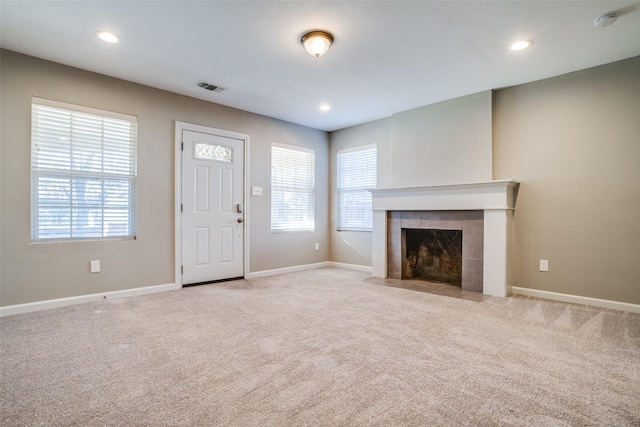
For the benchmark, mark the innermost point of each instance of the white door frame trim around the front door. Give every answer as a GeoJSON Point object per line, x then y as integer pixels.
{"type": "Point", "coordinates": [182, 126]}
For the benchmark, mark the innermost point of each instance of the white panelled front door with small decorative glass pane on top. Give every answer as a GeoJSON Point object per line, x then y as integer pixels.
{"type": "Point", "coordinates": [212, 206]}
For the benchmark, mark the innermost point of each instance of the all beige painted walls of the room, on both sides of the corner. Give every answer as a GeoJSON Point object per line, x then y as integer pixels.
{"type": "Point", "coordinates": [572, 141]}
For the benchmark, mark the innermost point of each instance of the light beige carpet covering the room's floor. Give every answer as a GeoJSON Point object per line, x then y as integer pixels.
{"type": "Point", "coordinates": [326, 347]}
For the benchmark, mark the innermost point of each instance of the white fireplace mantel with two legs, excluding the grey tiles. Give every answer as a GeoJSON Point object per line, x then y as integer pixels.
{"type": "Point", "coordinates": [497, 200]}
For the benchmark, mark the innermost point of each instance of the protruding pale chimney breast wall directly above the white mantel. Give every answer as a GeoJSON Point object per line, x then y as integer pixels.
{"type": "Point", "coordinates": [444, 143]}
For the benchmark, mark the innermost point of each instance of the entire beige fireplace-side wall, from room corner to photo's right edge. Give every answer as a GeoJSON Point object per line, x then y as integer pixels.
{"type": "Point", "coordinates": [572, 141]}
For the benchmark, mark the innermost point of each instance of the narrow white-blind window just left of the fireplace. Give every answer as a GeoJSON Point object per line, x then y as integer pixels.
{"type": "Point", "coordinates": [357, 172]}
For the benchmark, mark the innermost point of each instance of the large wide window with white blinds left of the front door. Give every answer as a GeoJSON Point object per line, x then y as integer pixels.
{"type": "Point", "coordinates": [83, 173]}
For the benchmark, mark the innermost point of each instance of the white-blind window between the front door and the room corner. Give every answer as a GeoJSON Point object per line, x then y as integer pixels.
{"type": "Point", "coordinates": [292, 188]}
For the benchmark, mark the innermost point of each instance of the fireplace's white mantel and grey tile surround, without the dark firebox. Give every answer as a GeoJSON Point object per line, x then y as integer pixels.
{"type": "Point", "coordinates": [483, 209]}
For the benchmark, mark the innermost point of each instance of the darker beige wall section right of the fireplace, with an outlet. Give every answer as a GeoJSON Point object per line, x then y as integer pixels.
{"type": "Point", "coordinates": [574, 143]}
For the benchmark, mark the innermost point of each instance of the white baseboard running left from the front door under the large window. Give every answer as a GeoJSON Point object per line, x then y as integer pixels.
{"type": "Point", "coordinates": [63, 302]}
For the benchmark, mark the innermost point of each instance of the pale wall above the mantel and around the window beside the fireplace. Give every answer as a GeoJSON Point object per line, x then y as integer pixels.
{"type": "Point", "coordinates": [444, 143]}
